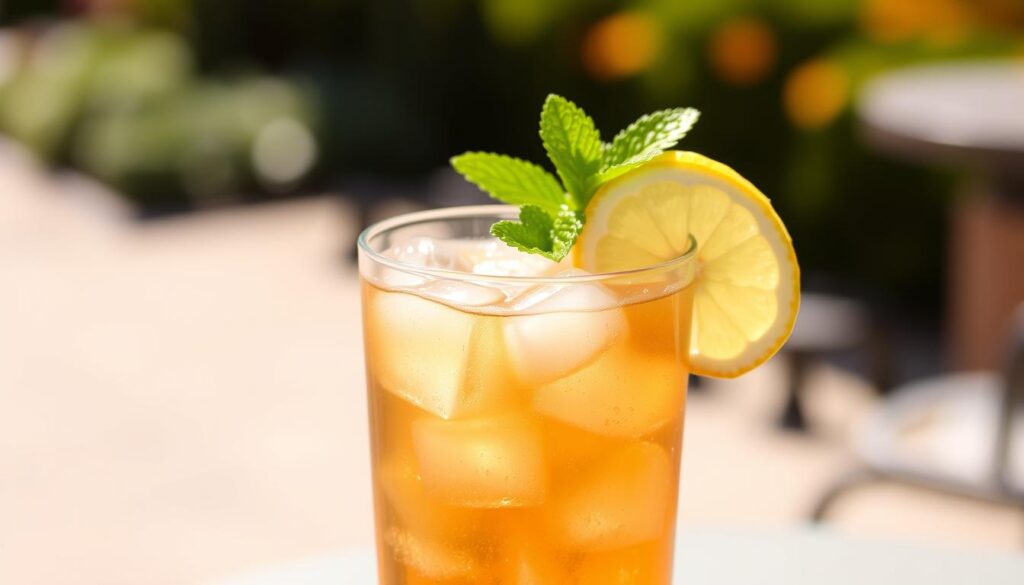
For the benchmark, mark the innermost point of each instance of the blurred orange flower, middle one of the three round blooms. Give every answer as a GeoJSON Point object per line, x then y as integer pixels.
{"type": "Point", "coordinates": [743, 52]}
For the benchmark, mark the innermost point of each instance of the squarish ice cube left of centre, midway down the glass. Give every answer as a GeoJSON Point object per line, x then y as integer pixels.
{"type": "Point", "coordinates": [485, 463]}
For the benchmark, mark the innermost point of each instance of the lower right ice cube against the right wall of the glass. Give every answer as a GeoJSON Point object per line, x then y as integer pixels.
{"type": "Point", "coordinates": [624, 499]}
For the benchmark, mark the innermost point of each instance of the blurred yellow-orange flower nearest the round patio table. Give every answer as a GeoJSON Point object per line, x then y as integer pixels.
{"type": "Point", "coordinates": [816, 94]}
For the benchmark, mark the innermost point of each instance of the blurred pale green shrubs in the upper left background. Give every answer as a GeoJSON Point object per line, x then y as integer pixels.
{"type": "Point", "coordinates": [125, 105]}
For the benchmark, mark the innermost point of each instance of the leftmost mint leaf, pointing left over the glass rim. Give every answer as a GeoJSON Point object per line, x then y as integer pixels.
{"type": "Point", "coordinates": [513, 181]}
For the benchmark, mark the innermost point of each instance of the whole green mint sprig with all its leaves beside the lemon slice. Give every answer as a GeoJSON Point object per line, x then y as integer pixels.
{"type": "Point", "coordinates": [551, 214]}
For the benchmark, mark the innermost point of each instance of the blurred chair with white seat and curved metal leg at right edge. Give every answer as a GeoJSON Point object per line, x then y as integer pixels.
{"type": "Point", "coordinates": [960, 434]}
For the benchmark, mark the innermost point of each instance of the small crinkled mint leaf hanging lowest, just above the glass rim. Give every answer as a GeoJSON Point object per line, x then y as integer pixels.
{"type": "Point", "coordinates": [539, 233]}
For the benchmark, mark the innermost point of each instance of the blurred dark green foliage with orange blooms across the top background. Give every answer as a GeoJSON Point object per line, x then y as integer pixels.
{"type": "Point", "coordinates": [167, 99]}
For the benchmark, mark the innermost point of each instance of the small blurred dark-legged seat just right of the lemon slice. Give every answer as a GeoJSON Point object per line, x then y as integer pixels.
{"type": "Point", "coordinates": [829, 325]}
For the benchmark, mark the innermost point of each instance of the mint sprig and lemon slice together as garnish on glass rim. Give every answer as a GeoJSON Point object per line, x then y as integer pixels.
{"type": "Point", "coordinates": [647, 204]}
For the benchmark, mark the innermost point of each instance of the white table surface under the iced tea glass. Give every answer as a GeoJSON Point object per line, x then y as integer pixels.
{"type": "Point", "coordinates": [744, 557]}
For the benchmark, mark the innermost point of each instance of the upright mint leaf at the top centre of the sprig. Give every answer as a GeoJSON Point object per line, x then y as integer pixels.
{"type": "Point", "coordinates": [574, 145]}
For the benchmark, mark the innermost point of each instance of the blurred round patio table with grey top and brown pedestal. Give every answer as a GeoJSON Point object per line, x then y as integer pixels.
{"type": "Point", "coordinates": [966, 116]}
